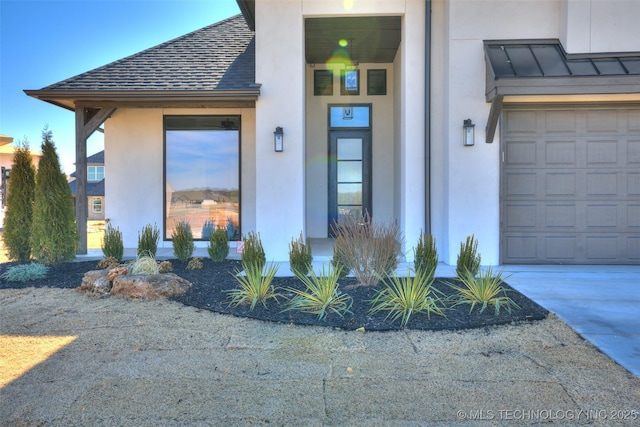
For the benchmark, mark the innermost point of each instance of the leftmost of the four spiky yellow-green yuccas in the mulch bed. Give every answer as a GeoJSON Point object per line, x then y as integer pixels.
{"type": "Point", "coordinates": [255, 285]}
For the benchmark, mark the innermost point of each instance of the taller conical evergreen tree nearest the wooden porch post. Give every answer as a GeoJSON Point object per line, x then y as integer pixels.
{"type": "Point", "coordinates": [54, 237]}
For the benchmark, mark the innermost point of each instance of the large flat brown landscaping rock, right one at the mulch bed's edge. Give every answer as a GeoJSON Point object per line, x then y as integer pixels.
{"type": "Point", "coordinates": [150, 286]}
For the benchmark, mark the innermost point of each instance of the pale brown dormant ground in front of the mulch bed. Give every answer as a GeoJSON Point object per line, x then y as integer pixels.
{"type": "Point", "coordinates": [69, 359]}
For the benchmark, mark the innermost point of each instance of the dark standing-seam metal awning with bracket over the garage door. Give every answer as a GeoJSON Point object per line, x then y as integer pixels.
{"type": "Point", "coordinates": [542, 67]}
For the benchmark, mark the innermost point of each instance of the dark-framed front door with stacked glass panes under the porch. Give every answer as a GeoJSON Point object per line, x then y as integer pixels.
{"type": "Point", "coordinates": [349, 174]}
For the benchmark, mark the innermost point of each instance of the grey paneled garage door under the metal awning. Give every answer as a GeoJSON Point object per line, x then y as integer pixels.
{"type": "Point", "coordinates": [570, 185]}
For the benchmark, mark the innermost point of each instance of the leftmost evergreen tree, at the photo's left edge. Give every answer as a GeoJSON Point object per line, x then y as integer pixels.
{"type": "Point", "coordinates": [19, 203]}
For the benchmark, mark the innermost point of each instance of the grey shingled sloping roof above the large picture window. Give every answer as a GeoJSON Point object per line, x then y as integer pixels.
{"type": "Point", "coordinates": [217, 60]}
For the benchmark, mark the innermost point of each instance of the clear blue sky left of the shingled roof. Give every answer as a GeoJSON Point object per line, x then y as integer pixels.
{"type": "Point", "coordinates": [45, 41]}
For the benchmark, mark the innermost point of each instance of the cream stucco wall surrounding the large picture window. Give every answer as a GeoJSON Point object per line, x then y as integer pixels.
{"type": "Point", "coordinates": [134, 143]}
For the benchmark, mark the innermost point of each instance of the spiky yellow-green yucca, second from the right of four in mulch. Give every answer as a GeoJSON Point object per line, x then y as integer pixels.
{"type": "Point", "coordinates": [402, 297]}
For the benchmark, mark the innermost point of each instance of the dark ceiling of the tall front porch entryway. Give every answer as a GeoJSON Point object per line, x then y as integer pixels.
{"type": "Point", "coordinates": [370, 39]}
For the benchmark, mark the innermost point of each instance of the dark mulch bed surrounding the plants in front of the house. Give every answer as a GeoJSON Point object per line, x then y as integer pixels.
{"type": "Point", "coordinates": [212, 283]}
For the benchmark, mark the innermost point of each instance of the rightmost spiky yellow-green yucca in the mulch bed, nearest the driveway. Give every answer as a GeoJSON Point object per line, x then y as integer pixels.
{"type": "Point", "coordinates": [484, 291]}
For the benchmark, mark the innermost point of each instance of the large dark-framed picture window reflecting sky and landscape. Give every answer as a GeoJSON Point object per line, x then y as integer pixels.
{"type": "Point", "coordinates": [202, 174]}
